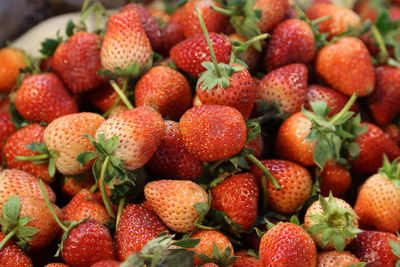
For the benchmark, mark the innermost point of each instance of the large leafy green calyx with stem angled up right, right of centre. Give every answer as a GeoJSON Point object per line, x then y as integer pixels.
{"type": "Point", "coordinates": [334, 136]}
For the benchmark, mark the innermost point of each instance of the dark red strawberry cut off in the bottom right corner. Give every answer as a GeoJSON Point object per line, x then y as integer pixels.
{"type": "Point", "coordinates": [373, 248]}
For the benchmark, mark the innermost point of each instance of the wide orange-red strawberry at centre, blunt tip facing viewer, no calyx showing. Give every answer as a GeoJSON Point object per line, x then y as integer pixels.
{"type": "Point", "coordinates": [207, 129]}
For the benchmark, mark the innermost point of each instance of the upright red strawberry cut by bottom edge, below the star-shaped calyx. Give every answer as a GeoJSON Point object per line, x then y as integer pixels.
{"type": "Point", "coordinates": [287, 244]}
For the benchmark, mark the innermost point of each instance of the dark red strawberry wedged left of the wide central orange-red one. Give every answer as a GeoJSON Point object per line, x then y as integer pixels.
{"type": "Point", "coordinates": [172, 159]}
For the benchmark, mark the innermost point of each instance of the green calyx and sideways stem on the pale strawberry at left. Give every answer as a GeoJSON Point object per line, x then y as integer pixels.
{"type": "Point", "coordinates": [45, 156]}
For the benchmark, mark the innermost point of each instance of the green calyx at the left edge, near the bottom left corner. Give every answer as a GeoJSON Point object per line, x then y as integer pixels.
{"type": "Point", "coordinates": [14, 225]}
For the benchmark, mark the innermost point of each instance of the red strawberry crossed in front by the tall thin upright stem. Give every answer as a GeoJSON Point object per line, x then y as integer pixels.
{"type": "Point", "coordinates": [190, 53]}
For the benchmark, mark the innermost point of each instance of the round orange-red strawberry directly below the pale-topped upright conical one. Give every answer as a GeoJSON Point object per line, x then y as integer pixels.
{"type": "Point", "coordinates": [164, 89]}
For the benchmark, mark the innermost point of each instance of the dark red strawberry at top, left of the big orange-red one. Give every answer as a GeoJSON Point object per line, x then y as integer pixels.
{"type": "Point", "coordinates": [292, 41]}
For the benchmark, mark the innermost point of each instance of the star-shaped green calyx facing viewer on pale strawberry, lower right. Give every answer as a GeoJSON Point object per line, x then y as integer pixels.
{"type": "Point", "coordinates": [335, 224]}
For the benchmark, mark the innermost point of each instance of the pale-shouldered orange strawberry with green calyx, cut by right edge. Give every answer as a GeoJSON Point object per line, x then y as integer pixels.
{"type": "Point", "coordinates": [377, 199]}
